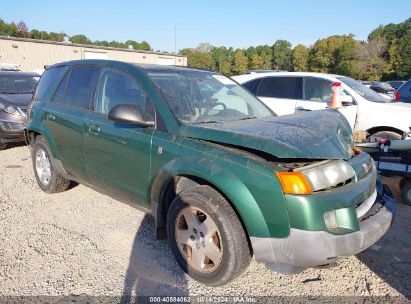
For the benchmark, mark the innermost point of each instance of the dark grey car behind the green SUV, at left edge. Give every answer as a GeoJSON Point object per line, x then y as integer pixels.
{"type": "Point", "coordinates": [16, 91]}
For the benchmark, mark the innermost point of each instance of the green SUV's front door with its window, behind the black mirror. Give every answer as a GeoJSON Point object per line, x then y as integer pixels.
{"type": "Point", "coordinates": [117, 155]}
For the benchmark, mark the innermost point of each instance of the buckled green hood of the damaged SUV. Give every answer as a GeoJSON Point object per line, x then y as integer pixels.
{"type": "Point", "coordinates": [312, 135]}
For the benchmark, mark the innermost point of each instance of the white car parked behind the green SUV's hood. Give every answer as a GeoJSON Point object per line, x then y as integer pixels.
{"type": "Point", "coordinates": [292, 92]}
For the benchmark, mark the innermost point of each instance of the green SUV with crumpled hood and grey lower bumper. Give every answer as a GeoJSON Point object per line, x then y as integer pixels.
{"type": "Point", "coordinates": [223, 176]}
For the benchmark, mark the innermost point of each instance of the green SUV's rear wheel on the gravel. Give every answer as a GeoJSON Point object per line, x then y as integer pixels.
{"type": "Point", "coordinates": [48, 179]}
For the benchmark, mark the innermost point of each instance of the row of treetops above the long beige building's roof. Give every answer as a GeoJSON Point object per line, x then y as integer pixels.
{"type": "Point", "coordinates": [21, 30]}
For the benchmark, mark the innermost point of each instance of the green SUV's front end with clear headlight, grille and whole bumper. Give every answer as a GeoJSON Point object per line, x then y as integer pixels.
{"type": "Point", "coordinates": [347, 212]}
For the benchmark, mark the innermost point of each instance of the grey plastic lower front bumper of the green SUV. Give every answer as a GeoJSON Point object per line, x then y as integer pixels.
{"type": "Point", "coordinates": [303, 249]}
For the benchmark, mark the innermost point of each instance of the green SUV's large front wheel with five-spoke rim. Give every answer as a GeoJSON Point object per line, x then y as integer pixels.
{"type": "Point", "coordinates": [224, 254]}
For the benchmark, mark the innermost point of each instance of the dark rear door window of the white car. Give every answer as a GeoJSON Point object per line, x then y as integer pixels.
{"type": "Point", "coordinates": [280, 87]}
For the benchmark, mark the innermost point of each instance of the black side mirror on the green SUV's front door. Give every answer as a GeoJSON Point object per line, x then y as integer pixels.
{"type": "Point", "coordinates": [130, 114]}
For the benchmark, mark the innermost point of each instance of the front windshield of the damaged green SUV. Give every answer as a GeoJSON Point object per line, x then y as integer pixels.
{"type": "Point", "coordinates": [204, 97]}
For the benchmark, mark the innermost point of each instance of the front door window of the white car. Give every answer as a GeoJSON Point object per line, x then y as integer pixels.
{"type": "Point", "coordinates": [317, 89]}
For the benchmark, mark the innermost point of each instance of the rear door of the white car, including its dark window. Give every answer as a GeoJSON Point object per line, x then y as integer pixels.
{"type": "Point", "coordinates": [280, 93]}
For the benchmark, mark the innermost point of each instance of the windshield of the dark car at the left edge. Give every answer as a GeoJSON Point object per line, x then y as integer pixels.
{"type": "Point", "coordinates": [18, 84]}
